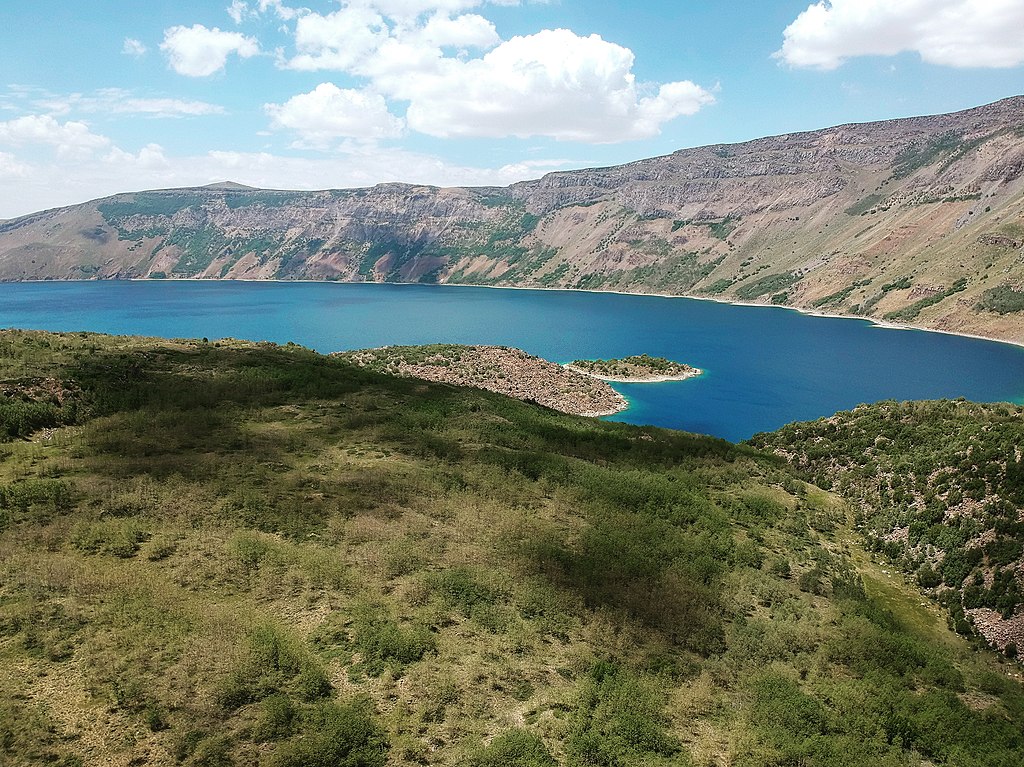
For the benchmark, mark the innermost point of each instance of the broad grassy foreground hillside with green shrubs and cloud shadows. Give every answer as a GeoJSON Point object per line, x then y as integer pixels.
{"type": "Point", "coordinates": [233, 553]}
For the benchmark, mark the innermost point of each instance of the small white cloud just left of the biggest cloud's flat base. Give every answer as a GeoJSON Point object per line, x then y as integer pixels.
{"type": "Point", "coordinates": [329, 113]}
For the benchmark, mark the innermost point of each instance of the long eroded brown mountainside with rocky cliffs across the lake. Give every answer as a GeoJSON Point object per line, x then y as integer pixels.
{"type": "Point", "coordinates": [918, 222]}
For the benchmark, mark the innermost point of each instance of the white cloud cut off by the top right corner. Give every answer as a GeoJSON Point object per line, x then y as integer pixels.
{"type": "Point", "coordinates": [951, 33]}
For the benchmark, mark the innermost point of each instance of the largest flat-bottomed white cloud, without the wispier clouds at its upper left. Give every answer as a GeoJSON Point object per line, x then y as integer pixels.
{"type": "Point", "coordinates": [552, 84]}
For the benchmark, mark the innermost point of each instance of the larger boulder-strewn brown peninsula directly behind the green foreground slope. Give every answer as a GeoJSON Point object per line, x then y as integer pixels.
{"type": "Point", "coordinates": [500, 369]}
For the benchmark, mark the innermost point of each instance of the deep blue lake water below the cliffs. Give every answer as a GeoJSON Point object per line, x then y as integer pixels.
{"type": "Point", "coordinates": [764, 367]}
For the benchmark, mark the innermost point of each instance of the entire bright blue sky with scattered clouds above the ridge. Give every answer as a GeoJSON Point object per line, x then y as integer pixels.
{"type": "Point", "coordinates": [118, 96]}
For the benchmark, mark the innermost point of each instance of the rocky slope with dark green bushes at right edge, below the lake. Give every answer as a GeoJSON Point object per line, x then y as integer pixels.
{"type": "Point", "coordinates": [940, 489]}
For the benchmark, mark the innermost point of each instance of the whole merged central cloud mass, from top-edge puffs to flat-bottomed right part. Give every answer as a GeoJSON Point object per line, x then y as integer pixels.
{"type": "Point", "coordinates": [554, 84]}
